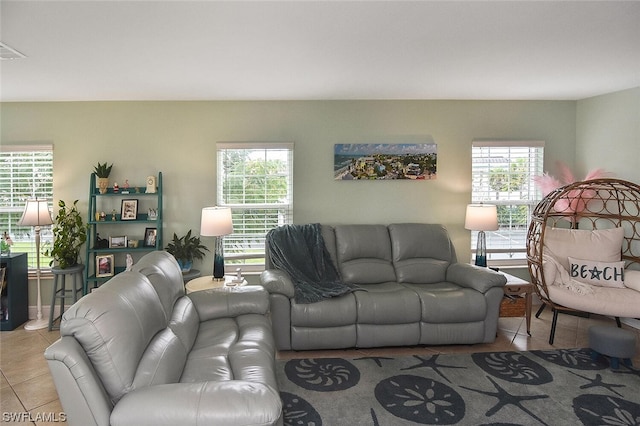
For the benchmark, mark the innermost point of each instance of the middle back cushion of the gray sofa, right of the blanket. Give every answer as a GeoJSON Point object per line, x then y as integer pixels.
{"type": "Point", "coordinates": [364, 254]}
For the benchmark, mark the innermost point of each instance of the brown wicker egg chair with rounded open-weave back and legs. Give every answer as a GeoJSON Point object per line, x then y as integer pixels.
{"type": "Point", "coordinates": [587, 205]}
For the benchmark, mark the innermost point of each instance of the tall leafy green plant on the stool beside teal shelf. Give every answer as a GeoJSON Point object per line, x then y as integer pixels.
{"type": "Point", "coordinates": [69, 234]}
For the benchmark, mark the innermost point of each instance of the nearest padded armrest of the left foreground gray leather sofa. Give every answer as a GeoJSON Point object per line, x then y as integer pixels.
{"type": "Point", "coordinates": [232, 402]}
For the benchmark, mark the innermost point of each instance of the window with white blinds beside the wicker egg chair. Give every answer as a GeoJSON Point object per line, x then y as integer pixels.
{"type": "Point", "coordinates": [502, 174]}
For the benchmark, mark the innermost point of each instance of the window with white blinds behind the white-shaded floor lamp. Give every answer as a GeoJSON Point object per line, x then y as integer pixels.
{"type": "Point", "coordinates": [26, 171]}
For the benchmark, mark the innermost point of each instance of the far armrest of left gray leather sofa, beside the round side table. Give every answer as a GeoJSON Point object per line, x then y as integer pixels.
{"type": "Point", "coordinates": [230, 302]}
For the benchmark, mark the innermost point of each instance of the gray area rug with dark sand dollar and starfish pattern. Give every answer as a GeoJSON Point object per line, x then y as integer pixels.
{"type": "Point", "coordinates": [559, 387]}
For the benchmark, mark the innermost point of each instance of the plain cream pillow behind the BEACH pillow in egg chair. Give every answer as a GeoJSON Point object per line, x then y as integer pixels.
{"type": "Point", "coordinates": [603, 245]}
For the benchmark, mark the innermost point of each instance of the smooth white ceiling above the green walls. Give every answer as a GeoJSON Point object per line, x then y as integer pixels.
{"type": "Point", "coordinates": [242, 50]}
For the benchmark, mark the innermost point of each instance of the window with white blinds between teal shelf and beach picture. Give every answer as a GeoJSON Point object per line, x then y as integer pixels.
{"type": "Point", "coordinates": [256, 181]}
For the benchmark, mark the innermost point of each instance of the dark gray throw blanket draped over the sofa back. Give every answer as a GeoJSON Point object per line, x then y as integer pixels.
{"type": "Point", "coordinates": [300, 251]}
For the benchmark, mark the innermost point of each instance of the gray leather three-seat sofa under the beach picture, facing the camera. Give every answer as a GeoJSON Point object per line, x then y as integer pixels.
{"type": "Point", "coordinates": [413, 292]}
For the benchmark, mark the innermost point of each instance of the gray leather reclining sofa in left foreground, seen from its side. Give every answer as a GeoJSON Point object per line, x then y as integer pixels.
{"type": "Point", "coordinates": [137, 351]}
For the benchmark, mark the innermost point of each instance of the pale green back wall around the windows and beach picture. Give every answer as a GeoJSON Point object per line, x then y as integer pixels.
{"type": "Point", "coordinates": [178, 138]}
